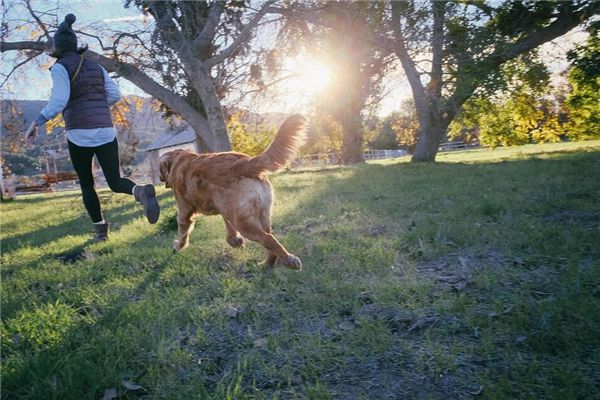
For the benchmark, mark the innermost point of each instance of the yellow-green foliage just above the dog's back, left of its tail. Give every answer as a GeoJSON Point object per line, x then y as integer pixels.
{"type": "Point", "coordinates": [251, 140]}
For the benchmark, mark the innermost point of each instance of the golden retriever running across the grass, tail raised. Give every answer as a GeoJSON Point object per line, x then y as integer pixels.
{"type": "Point", "coordinates": [234, 185]}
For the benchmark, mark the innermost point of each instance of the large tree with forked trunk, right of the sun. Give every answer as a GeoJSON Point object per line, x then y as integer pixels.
{"type": "Point", "coordinates": [451, 48]}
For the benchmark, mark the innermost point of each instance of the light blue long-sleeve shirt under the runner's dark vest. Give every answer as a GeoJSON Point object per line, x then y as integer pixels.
{"type": "Point", "coordinates": [59, 97]}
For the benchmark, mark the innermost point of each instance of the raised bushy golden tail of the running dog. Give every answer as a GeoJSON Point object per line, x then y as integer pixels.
{"type": "Point", "coordinates": [287, 141]}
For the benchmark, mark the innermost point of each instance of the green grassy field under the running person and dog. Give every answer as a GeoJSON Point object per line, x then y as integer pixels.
{"type": "Point", "coordinates": [476, 277]}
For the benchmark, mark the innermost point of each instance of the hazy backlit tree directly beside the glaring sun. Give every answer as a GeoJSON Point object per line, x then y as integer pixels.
{"type": "Point", "coordinates": [359, 66]}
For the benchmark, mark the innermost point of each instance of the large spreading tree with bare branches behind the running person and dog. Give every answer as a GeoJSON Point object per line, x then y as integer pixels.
{"type": "Point", "coordinates": [182, 57]}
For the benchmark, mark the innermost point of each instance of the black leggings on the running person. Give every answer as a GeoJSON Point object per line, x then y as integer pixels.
{"type": "Point", "coordinates": [108, 157]}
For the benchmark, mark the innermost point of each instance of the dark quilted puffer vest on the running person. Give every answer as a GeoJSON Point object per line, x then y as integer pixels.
{"type": "Point", "coordinates": [87, 107]}
